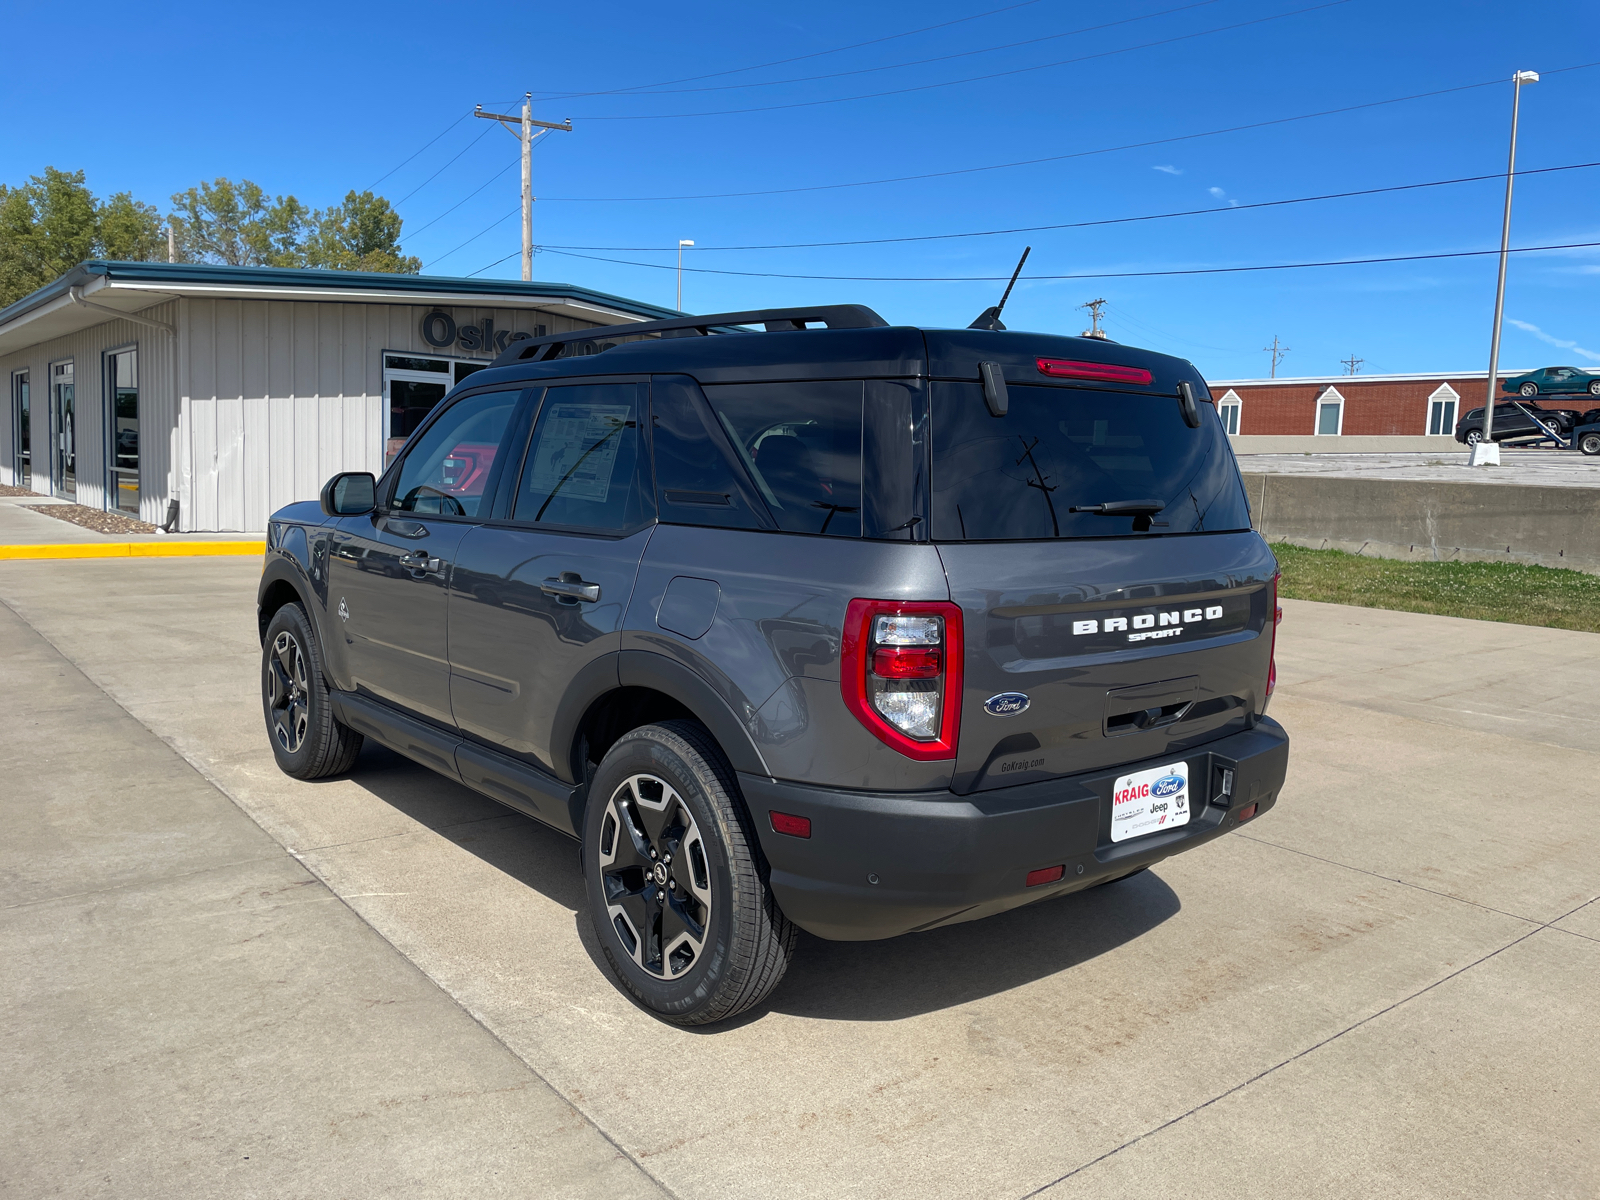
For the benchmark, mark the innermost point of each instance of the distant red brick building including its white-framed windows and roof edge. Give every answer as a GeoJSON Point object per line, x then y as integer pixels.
{"type": "Point", "coordinates": [1351, 406]}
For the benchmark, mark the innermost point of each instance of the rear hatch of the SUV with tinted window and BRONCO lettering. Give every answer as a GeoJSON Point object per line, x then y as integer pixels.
{"type": "Point", "coordinates": [1094, 638]}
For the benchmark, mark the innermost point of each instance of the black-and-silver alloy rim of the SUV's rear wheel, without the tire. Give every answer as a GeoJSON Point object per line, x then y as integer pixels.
{"type": "Point", "coordinates": [655, 876]}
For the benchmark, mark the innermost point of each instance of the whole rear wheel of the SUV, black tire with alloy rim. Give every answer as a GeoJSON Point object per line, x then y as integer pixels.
{"type": "Point", "coordinates": [666, 822]}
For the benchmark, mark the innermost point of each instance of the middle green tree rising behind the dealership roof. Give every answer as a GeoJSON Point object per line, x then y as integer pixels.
{"type": "Point", "coordinates": [238, 225]}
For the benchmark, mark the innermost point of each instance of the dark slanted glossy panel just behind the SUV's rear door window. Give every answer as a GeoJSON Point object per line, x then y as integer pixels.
{"type": "Point", "coordinates": [698, 479]}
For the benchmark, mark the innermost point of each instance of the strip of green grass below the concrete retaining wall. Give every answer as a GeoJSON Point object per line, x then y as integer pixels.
{"type": "Point", "coordinates": [1524, 596]}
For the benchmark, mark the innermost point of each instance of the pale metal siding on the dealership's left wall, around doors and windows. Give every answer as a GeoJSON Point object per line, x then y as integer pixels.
{"type": "Point", "coordinates": [158, 407]}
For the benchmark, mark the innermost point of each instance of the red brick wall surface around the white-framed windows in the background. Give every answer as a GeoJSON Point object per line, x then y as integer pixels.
{"type": "Point", "coordinates": [1370, 407]}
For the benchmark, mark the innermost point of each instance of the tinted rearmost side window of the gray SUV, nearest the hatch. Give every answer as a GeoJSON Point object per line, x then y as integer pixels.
{"type": "Point", "coordinates": [802, 447]}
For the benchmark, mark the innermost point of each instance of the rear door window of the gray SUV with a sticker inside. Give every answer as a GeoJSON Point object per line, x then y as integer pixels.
{"type": "Point", "coordinates": [585, 465]}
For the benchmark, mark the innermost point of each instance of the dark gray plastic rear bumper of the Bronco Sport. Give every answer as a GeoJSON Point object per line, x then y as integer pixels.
{"type": "Point", "coordinates": [881, 865]}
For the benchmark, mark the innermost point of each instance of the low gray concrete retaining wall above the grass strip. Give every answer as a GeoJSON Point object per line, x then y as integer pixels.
{"type": "Point", "coordinates": [1438, 522]}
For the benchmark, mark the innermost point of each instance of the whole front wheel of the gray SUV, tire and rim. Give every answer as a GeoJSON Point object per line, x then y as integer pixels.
{"type": "Point", "coordinates": [306, 740]}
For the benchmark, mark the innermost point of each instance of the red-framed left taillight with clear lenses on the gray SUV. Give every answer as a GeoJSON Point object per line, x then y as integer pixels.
{"type": "Point", "coordinates": [902, 674]}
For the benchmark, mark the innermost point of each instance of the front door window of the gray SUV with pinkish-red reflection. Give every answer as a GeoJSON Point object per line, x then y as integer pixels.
{"type": "Point", "coordinates": [449, 470]}
